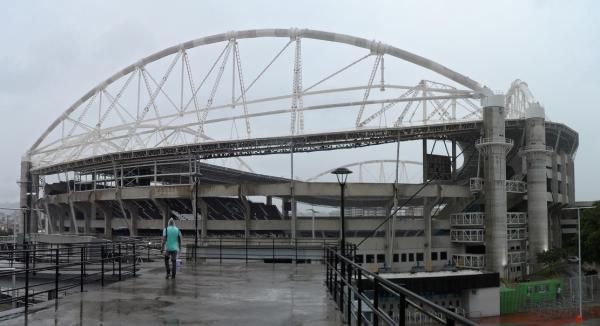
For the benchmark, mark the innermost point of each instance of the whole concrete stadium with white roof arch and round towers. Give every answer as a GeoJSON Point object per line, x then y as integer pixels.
{"type": "Point", "coordinates": [174, 135]}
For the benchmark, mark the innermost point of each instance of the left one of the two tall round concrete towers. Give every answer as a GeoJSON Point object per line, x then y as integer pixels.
{"type": "Point", "coordinates": [494, 148]}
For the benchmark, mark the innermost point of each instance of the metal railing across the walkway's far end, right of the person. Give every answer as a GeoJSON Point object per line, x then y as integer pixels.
{"type": "Point", "coordinates": [265, 249]}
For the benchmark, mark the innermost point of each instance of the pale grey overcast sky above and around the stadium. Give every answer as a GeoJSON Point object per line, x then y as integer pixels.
{"type": "Point", "coordinates": [54, 51]}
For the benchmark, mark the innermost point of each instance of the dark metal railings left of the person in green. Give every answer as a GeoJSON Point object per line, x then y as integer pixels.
{"type": "Point", "coordinates": [57, 268]}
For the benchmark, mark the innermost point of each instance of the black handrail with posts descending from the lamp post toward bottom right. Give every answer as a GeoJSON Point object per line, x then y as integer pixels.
{"type": "Point", "coordinates": [346, 280]}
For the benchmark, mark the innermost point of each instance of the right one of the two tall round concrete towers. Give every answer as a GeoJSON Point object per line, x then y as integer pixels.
{"type": "Point", "coordinates": [537, 206]}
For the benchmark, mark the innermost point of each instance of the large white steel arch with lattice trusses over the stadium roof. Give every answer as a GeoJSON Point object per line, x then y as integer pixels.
{"type": "Point", "coordinates": [137, 108]}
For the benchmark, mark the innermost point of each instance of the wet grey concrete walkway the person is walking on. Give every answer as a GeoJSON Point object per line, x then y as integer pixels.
{"type": "Point", "coordinates": [206, 294]}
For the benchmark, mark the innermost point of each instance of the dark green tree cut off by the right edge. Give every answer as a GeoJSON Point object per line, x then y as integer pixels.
{"type": "Point", "coordinates": [590, 234]}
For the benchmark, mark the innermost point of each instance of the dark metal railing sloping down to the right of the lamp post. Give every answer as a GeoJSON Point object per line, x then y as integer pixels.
{"type": "Point", "coordinates": [345, 264]}
